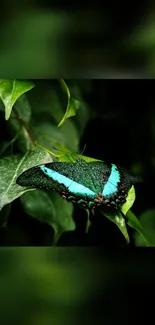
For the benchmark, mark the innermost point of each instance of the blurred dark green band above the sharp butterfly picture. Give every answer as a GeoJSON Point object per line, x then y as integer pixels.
{"type": "Point", "coordinates": [43, 39]}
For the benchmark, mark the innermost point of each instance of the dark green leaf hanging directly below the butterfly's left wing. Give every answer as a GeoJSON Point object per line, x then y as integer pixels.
{"type": "Point", "coordinates": [51, 208]}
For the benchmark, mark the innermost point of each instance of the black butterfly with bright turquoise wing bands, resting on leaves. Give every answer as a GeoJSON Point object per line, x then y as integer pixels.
{"type": "Point", "coordinates": [88, 184]}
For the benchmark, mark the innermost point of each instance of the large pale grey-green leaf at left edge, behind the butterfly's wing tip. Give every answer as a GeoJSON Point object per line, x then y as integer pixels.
{"type": "Point", "coordinates": [11, 167]}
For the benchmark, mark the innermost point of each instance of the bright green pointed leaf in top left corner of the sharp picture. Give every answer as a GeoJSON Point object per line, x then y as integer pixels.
{"type": "Point", "coordinates": [10, 90]}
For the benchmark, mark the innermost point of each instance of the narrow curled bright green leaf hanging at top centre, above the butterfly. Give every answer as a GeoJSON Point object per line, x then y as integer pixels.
{"type": "Point", "coordinates": [72, 105]}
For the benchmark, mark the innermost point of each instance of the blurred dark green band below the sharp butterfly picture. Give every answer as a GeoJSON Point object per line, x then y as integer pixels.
{"type": "Point", "coordinates": [59, 286]}
